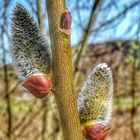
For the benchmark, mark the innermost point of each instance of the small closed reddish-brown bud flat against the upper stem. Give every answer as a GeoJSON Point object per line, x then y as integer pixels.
{"type": "Point", "coordinates": [65, 22]}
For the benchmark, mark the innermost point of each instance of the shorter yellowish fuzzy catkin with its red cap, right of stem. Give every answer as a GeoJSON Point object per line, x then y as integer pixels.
{"type": "Point", "coordinates": [95, 100]}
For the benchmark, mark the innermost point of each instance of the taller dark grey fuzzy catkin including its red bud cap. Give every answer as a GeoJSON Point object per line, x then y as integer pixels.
{"type": "Point", "coordinates": [31, 53]}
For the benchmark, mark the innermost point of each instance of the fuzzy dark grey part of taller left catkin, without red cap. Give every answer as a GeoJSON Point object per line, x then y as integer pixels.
{"type": "Point", "coordinates": [31, 53]}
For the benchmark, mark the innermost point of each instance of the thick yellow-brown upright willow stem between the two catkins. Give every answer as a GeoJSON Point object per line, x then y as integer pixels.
{"type": "Point", "coordinates": [62, 72]}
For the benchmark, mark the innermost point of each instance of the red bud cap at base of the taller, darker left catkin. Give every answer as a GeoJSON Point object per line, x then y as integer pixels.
{"type": "Point", "coordinates": [38, 85]}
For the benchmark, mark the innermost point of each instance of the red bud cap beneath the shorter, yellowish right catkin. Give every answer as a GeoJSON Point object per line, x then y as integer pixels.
{"type": "Point", "coordinates": [96, 132]}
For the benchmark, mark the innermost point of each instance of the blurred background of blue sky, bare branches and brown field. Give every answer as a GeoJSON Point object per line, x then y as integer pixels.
{"type": "Point", "coordinates": [102, 31]}
